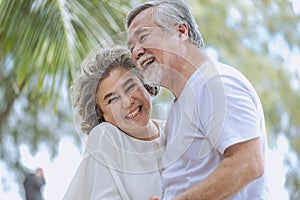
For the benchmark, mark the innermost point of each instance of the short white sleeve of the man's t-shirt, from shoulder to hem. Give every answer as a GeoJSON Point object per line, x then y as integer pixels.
{"type": "Point", "coordinates": [227, 110]}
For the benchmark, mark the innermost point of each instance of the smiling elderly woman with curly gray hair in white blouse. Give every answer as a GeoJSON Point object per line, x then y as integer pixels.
{"type": "Point", "coordinates": [122, 159]}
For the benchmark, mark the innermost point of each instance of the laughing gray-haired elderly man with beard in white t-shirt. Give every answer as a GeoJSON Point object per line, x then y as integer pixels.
{"type": "Point", "coordinates": [216, 138]}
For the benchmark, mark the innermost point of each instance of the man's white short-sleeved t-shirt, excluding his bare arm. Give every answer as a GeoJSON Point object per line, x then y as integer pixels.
{"type": "Point", "coordinates": [217, 108]}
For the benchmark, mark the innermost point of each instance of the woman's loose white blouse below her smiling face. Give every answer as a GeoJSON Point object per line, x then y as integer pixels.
{"type": "Point", "coordinates": [117, 166]}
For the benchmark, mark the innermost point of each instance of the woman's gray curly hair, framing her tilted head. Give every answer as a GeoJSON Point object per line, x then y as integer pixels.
{"type": "Point", "coordinates": [93, 69]}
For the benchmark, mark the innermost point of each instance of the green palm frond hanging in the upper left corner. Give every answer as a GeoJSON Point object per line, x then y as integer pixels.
{"type": "Point", "coordinates": [48, 39]}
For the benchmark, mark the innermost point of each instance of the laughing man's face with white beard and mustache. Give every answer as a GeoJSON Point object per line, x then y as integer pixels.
{"type": "Point", "coordinates": [151, 46]}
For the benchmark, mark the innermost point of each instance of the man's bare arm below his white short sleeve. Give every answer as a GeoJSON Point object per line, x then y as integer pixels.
{"type": "Point", "coordinates": [242, 164]}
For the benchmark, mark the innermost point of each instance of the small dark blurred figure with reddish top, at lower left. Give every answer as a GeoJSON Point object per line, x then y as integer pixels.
{"type": "Point", "coordinates": [33, 184]}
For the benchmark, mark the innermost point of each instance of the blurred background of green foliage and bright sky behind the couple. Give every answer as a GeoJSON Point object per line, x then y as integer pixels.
{"type": "Point", "coordinates": [42, 43]}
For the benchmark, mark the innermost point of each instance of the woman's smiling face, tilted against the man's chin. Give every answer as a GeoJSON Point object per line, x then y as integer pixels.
{"type": "Point", "coordinates": [124, 101]}
